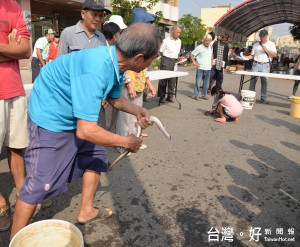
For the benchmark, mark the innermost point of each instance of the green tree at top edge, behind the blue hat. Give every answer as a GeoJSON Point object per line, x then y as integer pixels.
{"type": "Point", "coordinates": [124, 8]}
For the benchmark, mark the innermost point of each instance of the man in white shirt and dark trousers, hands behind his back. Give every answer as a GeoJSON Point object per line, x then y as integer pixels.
{"type": "Point", "coordinates": [169, 50]}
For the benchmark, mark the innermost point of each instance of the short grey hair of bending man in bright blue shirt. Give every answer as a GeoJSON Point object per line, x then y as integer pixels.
{"type": "Point", "coordinates": [139, 38]}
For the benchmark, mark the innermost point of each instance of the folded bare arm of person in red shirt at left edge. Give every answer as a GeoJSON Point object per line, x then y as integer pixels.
{"type": "Point", "coordinates": [15, 49]}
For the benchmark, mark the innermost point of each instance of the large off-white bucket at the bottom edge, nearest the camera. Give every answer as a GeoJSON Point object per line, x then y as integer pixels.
{"type": "Point", "coordinates": [48, 233]}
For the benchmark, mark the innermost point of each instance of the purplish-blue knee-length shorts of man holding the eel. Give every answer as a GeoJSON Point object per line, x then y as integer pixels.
{"type": "Point", "coordinates": [55, 159]}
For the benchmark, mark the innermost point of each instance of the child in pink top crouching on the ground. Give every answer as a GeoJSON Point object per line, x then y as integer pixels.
{"type": "Point", "coordinates": [228, 106]}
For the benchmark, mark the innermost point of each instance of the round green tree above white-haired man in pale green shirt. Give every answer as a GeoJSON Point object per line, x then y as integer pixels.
{"type": "Point", "coordinates": [192, 29]}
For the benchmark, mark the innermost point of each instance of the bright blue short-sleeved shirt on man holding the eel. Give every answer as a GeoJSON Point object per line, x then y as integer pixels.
{"type": "Point", "coordinates": [73, 86]}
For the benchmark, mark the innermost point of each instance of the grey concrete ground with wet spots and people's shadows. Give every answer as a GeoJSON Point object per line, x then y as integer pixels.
{"type": "Point", "coordinates": [243, 177]}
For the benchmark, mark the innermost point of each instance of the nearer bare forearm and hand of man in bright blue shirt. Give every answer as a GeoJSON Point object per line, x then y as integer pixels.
{"type": "Point", "coordinates": [92, 132]}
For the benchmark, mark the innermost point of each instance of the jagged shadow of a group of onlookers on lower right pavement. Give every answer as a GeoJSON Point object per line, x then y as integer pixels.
{"type": "Point", "coordinates": [272, 188]}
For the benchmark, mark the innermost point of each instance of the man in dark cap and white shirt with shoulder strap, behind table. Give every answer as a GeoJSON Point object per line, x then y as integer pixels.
{"type": "Point", "coordinates": [262, 53]}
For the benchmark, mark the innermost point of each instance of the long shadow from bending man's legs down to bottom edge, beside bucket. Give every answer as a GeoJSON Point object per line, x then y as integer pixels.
{"type": "Point", "coordinates": [134, 222]}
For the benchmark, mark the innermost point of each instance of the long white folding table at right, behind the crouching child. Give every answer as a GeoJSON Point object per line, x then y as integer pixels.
{"type": "Point", "coordinates": [256, 74]}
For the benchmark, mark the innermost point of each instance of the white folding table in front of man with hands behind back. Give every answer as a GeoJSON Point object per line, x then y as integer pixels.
{"type": "Point", "coordinates": [166, 74]}
